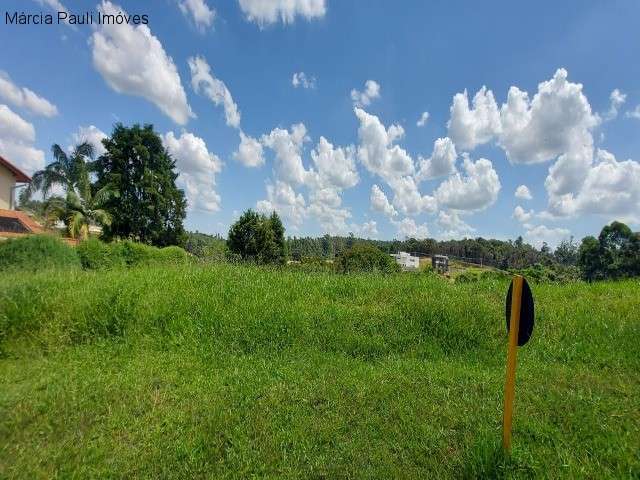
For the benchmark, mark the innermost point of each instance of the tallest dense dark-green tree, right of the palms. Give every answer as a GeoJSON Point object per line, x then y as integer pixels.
{"type": "Point", "coordinates": [149, 208]}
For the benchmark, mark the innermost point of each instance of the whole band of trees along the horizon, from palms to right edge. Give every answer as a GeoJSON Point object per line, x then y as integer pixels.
{"type": "Point", "coordinates": [130, 192]}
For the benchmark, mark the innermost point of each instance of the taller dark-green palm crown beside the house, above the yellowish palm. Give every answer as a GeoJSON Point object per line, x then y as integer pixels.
{"type": "Point", "coordinates": [65, 171]}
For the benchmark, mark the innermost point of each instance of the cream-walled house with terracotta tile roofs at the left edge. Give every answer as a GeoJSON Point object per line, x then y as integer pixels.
{"type": "Point", "coordinates": [13, 223]}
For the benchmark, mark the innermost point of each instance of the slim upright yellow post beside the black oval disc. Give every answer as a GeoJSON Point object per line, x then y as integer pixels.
{"type": "Point", "coordinates": [510, 383]}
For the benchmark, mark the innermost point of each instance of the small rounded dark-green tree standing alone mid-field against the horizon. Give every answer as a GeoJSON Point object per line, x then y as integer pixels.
{"type": "Point", "coordinates": [258, 238]}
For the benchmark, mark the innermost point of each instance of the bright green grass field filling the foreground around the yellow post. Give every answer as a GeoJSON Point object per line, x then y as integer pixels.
{"type": "Point", "coordinates": [236, 372]}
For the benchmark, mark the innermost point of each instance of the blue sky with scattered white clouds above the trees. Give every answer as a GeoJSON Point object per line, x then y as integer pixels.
{"type": "Point", "coordinates": [571, 140]}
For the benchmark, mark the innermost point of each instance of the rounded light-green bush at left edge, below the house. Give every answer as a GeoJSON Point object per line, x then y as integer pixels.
{"type": "Point", "coordinates": [36, 252]}
